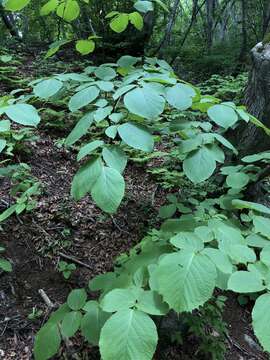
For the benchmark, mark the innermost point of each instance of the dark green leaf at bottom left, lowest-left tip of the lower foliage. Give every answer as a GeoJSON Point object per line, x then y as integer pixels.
{"type": "Point", "coordinates": [47, 342]}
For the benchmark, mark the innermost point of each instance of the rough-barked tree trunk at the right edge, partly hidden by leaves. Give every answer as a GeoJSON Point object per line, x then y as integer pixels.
{"type": "Point", "coordinates": [257, 99]}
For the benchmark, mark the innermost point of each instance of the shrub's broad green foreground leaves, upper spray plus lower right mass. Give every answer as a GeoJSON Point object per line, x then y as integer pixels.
{"type": "Point", "coordinates": [219, 242]}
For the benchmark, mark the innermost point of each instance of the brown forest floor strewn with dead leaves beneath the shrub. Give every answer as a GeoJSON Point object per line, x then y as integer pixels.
{"type": "Point", "coordinates": [59, 228]}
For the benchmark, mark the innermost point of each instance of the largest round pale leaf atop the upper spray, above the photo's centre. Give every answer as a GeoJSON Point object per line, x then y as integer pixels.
{"type": "Point", "coordinates": [145, 103]}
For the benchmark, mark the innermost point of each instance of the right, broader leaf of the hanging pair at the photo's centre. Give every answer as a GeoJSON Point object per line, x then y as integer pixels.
{"type": "Point", "coordinates": [108, 190]}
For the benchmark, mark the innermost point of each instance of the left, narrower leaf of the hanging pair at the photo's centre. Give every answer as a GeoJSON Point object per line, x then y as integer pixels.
{"type": "Point", "coordinates": [85, 178]}
